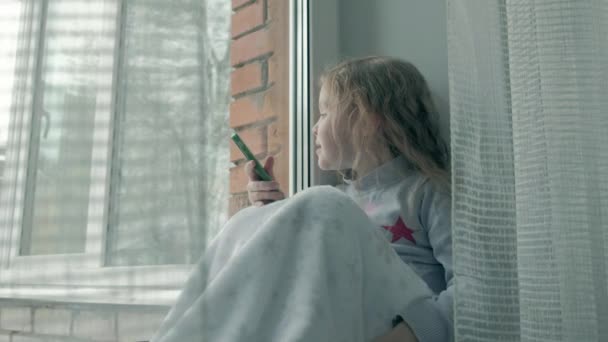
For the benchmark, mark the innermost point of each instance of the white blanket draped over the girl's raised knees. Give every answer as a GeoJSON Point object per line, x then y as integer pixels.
{"type": "Point", "coordinates": [309, 268]}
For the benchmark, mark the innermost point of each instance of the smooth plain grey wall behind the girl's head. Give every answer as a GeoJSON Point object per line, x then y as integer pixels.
{"type": "Point", "coordinates": [394, 35]}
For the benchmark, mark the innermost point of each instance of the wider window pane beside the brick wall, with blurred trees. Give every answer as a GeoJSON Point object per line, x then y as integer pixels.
{"type": "Point", "coordinates": [170, 170]}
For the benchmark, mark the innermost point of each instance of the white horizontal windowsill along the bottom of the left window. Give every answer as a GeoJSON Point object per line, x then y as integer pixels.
{"type": "Point", "coordinates": [145, 285]}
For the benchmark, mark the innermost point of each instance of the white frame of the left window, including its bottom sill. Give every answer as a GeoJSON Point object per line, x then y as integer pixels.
{"type": "Point", "coordinates": [71, 277]}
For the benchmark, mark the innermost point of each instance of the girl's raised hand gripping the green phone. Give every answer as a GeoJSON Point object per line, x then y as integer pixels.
{"type": "Point", "coordinates": [262, 192]}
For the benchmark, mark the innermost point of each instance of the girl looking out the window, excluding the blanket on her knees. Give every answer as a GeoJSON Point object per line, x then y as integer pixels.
{"type": "Point", "coordinates": [376, 126]}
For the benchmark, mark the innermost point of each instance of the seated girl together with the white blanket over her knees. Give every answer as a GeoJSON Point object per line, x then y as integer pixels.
{"type": "Point", "coordinates": [370, 262]}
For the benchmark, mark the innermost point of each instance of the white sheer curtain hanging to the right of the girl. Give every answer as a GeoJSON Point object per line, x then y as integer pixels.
{"type": "Point", "coordinates": [529, 122]}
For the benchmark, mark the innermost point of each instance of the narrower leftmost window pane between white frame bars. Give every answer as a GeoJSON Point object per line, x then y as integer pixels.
{"type": "Point", "coordinates": [72, 83]}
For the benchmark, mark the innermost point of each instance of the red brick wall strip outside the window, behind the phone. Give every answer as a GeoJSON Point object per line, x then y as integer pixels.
{"type": "Point", "coordinates": [259, 111]}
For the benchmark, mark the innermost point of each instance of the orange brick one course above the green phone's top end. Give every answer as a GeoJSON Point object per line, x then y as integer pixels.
{"type": "Point", "coordinates": [250, 109]}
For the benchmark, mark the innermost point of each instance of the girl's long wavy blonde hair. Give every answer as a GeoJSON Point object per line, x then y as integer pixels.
{"type": "Point", "coordinates": [386, 100]}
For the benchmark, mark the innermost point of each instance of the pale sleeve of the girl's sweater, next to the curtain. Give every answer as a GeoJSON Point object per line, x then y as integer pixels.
{"type": "Point", "coordinates": [433, 320]}
